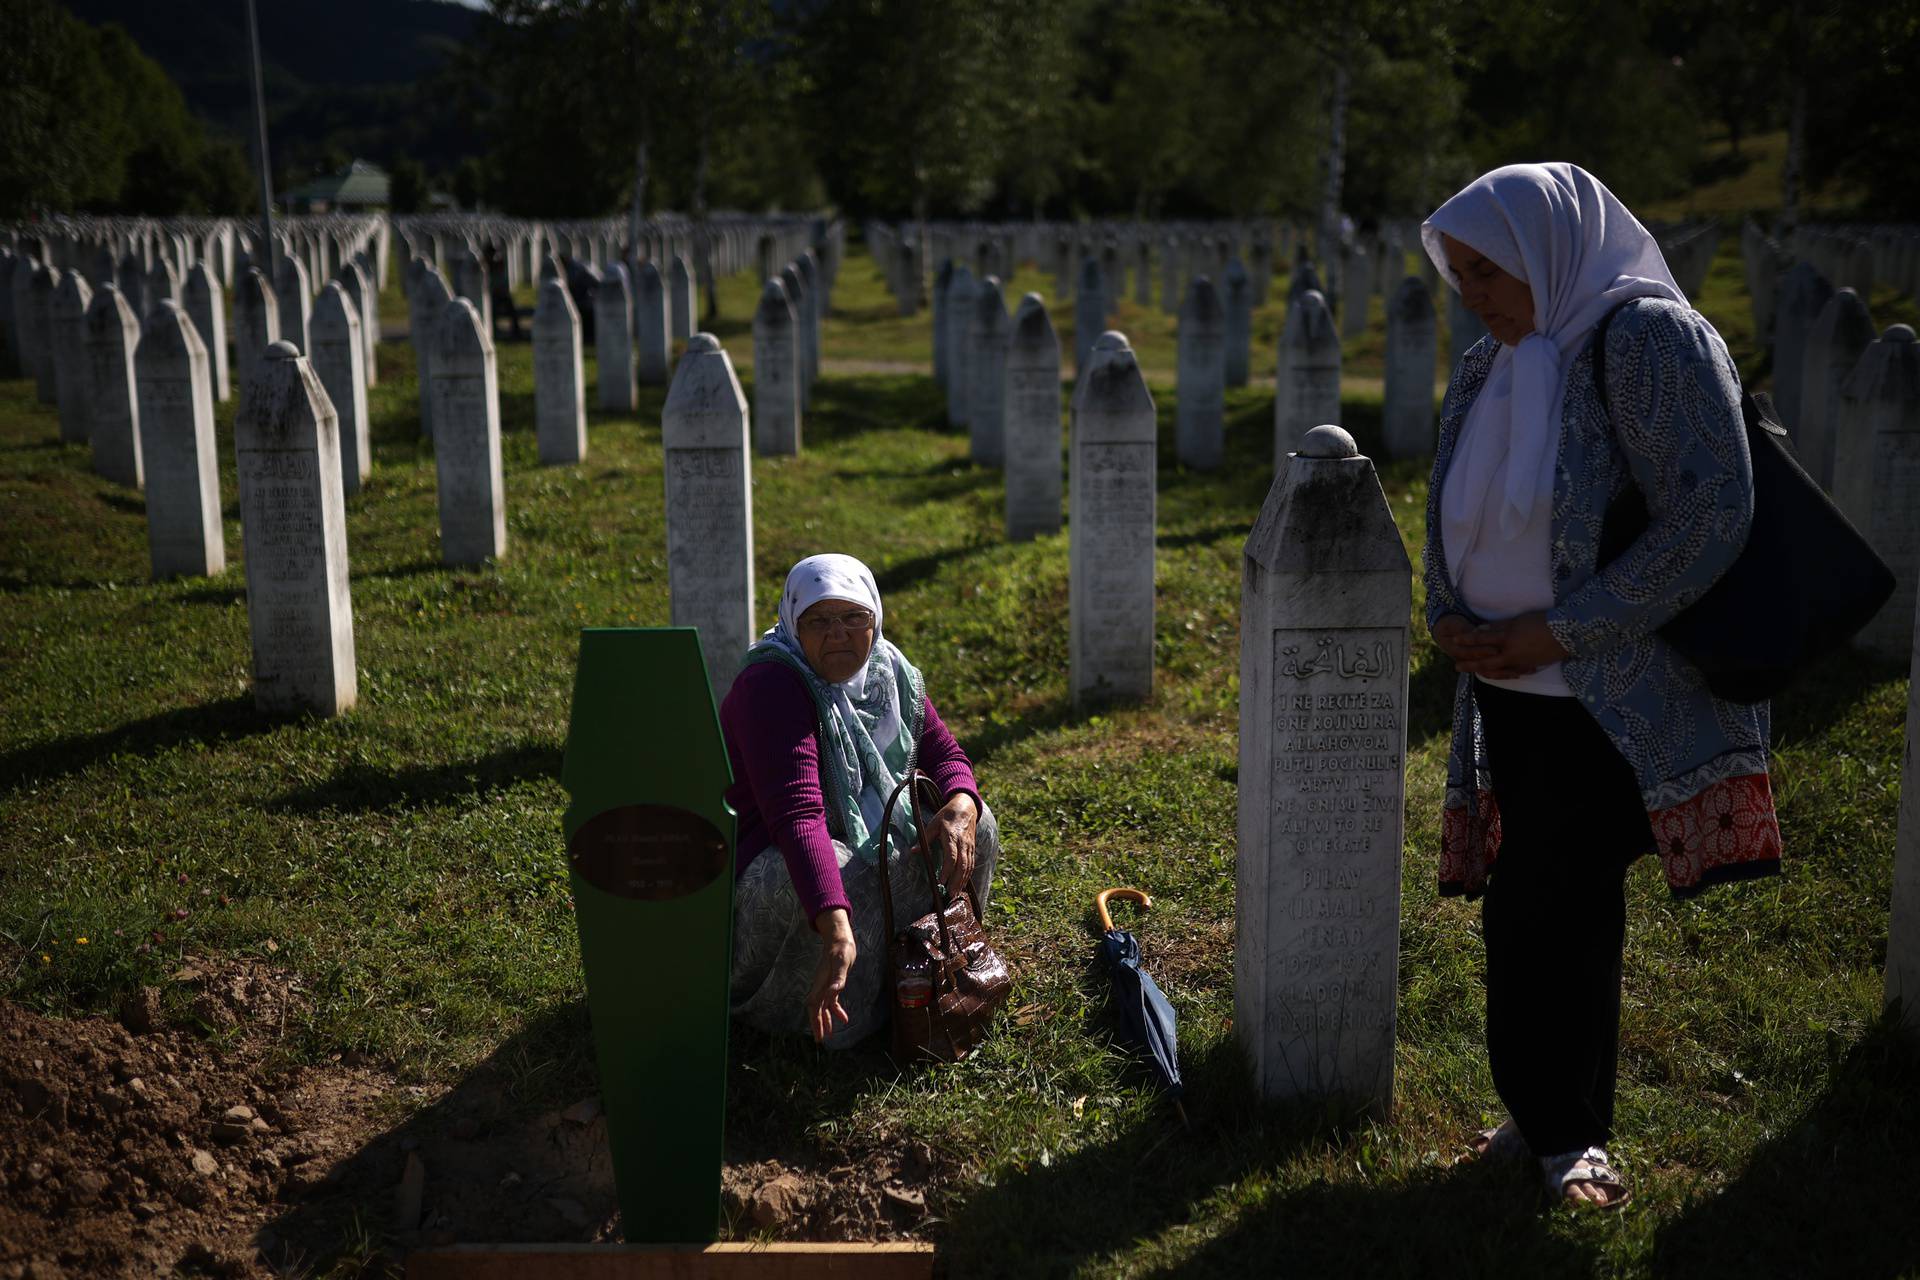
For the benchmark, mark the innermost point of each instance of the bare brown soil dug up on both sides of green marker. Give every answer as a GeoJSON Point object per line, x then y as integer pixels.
{"type": "Point", "coordinates": [137, 1149]}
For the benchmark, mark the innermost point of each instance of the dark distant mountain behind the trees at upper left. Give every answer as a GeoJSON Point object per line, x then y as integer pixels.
{"type": "Point", "coordinates": [343, 78]}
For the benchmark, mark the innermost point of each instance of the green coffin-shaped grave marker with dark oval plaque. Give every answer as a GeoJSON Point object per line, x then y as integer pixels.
{"type": "Point", "coordinates": [650, 841]}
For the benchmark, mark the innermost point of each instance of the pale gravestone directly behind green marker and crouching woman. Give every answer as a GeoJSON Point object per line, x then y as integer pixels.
{"type": "Point", "coordinates": [709, 508]}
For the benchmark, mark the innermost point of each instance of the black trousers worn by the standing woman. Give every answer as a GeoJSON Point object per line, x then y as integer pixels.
{"type": "Point", "coordinates": [1554, 914]}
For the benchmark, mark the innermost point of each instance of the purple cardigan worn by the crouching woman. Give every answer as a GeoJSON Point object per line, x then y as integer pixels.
{"type": "Point", "coordinates": [775, 747]}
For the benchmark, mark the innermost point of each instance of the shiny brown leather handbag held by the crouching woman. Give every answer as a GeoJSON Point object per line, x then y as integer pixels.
{"type": "Point", "coordinates": [948, 980]}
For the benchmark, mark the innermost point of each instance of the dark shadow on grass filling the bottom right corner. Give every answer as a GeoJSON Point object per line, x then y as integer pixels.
{"type": "Point", "coordinates": [1840, 1185]}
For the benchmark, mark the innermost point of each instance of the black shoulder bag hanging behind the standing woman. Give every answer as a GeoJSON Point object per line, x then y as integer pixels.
{"type": "Point", "coordinates": [1804, 584]}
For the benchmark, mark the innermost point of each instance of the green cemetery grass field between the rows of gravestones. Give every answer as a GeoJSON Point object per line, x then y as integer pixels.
{"type": "Point", "coordinates": [404, 861]}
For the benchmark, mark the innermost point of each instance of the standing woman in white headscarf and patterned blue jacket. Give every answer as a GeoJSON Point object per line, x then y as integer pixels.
{"type": "Point", "coordinates": [1581, 740]}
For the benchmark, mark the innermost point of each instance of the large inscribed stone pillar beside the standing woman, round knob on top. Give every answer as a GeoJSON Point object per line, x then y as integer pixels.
{"type": "Point", "coordinates": [1326, 596]}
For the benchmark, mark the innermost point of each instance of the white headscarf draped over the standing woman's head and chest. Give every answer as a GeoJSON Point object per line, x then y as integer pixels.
{"type": "Point", "coordinates": [1564, 233]}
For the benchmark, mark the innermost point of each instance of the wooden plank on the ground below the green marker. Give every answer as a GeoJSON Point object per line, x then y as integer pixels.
{"type": "Point", "coordinates": [717, 1262]}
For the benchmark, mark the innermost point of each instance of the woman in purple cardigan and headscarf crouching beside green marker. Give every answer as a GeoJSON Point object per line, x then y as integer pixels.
{"type": "Point", "coordinates": [823, 723]}
